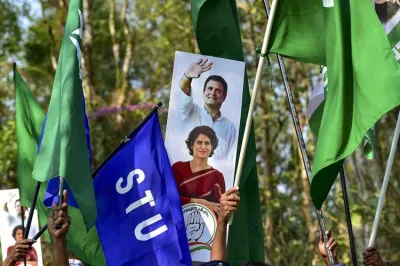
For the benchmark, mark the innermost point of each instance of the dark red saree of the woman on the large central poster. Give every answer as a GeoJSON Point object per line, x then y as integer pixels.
{"type": "Point", "coordinates": [206, 184]}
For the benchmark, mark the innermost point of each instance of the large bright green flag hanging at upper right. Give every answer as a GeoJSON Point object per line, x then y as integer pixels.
{"type": "Point", "coordinates": [363, 75]}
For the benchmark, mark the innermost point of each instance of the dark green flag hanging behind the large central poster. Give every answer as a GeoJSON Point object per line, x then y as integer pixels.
{"type": "Point", "coordinates": [217, 31]}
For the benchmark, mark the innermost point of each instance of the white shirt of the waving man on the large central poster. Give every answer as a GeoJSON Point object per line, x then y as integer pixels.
{"type": "Point", "coordinates": [190, 115]}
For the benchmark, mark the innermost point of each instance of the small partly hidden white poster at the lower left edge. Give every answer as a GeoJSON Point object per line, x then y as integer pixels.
{"type": "Point", "coordinates": [10, 224]}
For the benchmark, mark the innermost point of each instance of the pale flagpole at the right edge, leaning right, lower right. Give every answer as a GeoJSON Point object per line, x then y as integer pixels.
{"type": "Point", "coordinates": [385, 183]}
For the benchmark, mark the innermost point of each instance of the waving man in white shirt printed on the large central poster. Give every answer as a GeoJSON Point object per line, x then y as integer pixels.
{"type": "Point", "coordinates": [191, 115]}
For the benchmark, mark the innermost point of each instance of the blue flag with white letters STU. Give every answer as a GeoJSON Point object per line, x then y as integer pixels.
{"type": "Point", "coordinates": [139, 214]}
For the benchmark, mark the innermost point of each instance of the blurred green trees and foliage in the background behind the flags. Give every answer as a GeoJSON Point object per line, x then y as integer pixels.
{"type": "Point", "coordinates": [158, 29]}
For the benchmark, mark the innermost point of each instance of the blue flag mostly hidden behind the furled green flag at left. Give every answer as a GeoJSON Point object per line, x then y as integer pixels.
{"type": "Point", "coordinates": [51, 195]}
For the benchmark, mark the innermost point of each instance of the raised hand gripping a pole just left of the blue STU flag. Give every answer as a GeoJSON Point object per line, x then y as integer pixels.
{"type": "Point", "coordinates": [59, 221]}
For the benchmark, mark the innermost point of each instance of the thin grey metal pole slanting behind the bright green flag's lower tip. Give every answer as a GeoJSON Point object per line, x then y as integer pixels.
{"type": "Point", "coordinates": [300, 139]}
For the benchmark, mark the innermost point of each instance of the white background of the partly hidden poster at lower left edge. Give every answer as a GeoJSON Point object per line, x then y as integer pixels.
{"type": "Point", "coordinates": [9, 219]}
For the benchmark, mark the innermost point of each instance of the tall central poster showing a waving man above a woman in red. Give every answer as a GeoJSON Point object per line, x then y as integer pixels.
{"type": "Point", "coordinates": [201, 139]}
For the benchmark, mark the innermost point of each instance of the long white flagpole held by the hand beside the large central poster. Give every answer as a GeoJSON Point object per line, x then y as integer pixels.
{"type": "Point", "coordinates": [254, 97]}
